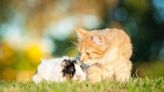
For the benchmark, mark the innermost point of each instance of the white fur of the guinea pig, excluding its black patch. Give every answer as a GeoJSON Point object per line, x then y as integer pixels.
{"type": "Point", "coordinates": [51, 70]}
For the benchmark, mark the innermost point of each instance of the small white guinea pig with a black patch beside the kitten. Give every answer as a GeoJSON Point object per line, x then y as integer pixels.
{"type": "Point", "coordinates": [59, 70]}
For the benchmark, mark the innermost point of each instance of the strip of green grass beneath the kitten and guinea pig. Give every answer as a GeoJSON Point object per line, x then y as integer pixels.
{"type": "Point", "coordinates": [134, 85]}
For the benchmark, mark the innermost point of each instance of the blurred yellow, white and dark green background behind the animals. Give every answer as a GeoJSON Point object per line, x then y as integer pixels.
{"type": "Point", "coordinates": [35, 29]}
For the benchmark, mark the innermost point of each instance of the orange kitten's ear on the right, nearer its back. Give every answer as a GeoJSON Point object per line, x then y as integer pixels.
{"type": "Point", "coordinates": [97, 39]}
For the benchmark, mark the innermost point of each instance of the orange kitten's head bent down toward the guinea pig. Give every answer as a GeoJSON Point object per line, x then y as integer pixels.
{"type": "Point", "coordinates": [92, 44]}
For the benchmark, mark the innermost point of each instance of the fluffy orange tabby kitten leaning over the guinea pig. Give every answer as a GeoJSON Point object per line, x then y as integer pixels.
{"type": "Point", "coordinates": [108, 53]}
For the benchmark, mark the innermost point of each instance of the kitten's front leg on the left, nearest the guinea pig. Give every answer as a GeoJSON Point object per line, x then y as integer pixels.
{"type": "Point", "coordinates": [94, 74]}
